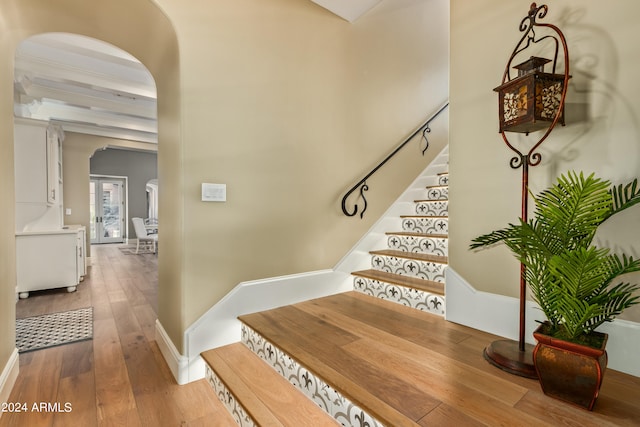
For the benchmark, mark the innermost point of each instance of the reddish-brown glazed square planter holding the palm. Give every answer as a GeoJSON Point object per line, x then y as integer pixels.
{"type": "Point", "coordinates": [568, 371]}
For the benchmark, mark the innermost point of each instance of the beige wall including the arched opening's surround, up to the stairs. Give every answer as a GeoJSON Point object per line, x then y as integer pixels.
{"type": "Point", "coordinates": [282, 101]}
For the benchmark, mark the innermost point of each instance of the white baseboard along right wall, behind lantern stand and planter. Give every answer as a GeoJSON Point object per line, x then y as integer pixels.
{"type": "Point", "coordinates": [499, 315]}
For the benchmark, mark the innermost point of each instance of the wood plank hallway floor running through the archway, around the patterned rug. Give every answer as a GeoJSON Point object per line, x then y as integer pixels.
{"type": "Point", "coordinates": [119, 377]}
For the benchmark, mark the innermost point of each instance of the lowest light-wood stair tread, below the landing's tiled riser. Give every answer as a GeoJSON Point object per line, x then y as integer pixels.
{"type": "Point", "coordinates": [253, 383]}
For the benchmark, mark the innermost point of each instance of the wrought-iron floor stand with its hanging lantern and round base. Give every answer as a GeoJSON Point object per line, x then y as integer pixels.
{"type": "Point", "coordinates": [529, 102]}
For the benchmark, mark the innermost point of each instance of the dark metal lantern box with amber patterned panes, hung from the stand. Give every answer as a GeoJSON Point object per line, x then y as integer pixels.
{"type": "Point", "coordinates": [530, 101]}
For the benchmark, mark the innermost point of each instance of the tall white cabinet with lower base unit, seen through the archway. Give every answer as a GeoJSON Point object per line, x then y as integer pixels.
{"type": "Point", "coordinates": [48, 255]}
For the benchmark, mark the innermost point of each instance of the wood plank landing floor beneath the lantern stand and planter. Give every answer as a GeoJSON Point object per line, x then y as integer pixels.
{"type": "Point", "coordinates": [406, 367]}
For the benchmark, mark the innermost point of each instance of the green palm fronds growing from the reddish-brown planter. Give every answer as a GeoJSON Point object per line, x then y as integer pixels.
{"type": "Point", "coordinates": [569, 278]}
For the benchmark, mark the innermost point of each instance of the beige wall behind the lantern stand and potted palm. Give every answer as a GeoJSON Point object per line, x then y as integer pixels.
{"type": "Point", "coordinates": [602, 133]}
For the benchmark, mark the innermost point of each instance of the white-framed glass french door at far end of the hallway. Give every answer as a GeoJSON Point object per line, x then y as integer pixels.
{"type": "Point", "coordinates": [107, 210]}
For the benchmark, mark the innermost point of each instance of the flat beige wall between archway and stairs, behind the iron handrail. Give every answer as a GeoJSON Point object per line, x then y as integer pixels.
{"type": "Point", "coordinates": [288, 105]}
